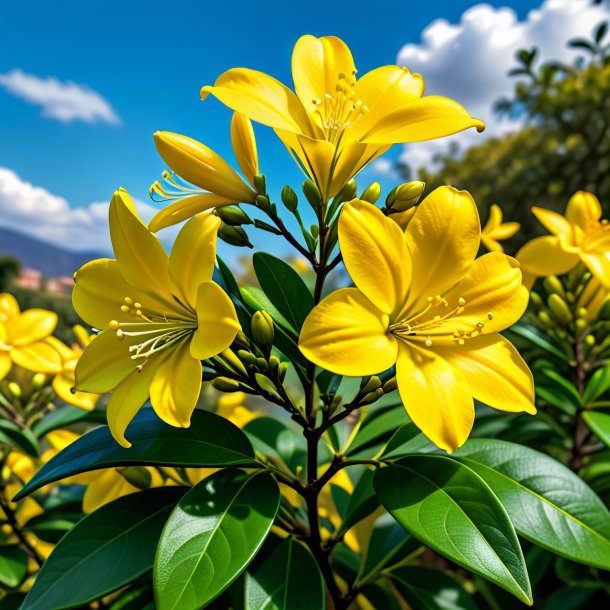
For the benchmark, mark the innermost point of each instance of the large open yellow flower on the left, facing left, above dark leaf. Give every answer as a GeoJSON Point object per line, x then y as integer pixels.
{"type": "Point", "coordinates": [161, 316]}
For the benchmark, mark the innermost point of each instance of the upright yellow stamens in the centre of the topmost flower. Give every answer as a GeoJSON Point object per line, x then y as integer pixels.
{"type": "Point", "coordinates": [339, 108]}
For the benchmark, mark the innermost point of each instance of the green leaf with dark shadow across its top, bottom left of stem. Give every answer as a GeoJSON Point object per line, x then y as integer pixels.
{"type": "Point", "coordinates": [212, 536]}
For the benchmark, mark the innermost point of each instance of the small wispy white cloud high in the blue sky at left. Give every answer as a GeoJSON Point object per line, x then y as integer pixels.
{"type": "Point", "coordinates": [63, 101]}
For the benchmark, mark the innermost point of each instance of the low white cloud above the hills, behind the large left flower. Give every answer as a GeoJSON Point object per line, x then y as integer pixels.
{"type": "Point", "coordinates": [35, 211]}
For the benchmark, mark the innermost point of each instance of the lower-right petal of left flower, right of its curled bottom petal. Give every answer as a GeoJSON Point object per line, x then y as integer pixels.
{"type": "Point", "coordinates": [174, 391]}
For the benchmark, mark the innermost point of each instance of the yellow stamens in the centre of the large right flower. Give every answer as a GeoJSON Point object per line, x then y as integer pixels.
{"type": "Point", "coordinates": [428, 323]}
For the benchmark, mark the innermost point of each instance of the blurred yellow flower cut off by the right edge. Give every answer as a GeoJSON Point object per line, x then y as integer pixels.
{"type": "Point", "coordinates": [580, 235]}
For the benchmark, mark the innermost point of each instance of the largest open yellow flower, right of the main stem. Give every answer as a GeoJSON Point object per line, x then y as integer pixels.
{"type": "Point", "coordinates": [423, 303]}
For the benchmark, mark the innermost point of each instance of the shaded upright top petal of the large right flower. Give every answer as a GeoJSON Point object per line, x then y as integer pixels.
{"type": "Point", "coordinates": [443, 239]}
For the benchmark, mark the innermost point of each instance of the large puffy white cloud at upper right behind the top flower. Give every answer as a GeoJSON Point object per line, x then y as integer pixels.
{"type": "Point", "coordinates": [469, 61]}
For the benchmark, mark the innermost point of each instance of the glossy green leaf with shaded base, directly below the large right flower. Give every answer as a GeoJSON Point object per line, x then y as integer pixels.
{"type": "Point", "coordinates": [452, 510]}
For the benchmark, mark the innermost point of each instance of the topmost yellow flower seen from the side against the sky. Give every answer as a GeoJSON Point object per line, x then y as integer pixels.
{"type": "Point", "coordinates": [336, 124]}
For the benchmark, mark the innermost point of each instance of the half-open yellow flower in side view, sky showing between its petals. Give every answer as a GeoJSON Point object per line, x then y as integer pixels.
{"type": "Point", "coordinates": [217, 182]}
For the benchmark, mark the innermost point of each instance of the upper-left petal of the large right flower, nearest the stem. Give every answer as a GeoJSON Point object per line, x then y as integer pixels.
{"type": "Point", "coordinates": [375, 254]}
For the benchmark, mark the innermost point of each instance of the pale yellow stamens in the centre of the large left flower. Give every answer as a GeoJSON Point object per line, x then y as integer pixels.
{"type": "Point", "coordinates": [152, 333]}
